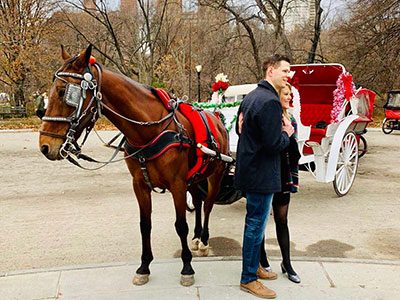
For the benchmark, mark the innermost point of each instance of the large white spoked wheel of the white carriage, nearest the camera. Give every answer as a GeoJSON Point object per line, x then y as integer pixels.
{"type": "Point", "coordinates": [346, 167]}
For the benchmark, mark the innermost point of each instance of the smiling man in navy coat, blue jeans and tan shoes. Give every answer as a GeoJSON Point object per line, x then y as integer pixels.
{"type": "Point", "coordinates": [262, 137]}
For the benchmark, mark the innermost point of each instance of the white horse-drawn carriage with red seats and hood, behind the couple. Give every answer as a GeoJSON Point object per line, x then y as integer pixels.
{"type": "Point", "coordinates": [331, 116]}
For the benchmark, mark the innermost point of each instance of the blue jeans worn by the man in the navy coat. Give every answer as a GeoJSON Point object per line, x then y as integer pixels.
{"type": "Point", "coordinates": [258, 207]}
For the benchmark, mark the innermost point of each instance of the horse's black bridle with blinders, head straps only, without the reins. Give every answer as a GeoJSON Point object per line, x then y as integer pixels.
{"type": "Point", "coordinates": [74, 96]}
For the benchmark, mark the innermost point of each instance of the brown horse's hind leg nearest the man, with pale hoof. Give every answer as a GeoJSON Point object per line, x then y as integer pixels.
{"type": "Point", "coordinates": [214, 183]}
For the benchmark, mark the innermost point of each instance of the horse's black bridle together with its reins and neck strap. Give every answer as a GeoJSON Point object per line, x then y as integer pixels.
{"type": "Point", "coordinates": [74, 96]}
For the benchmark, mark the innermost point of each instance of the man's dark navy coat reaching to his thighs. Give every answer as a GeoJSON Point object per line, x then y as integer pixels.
{"type": "Point", "coordinates": [261, 140]}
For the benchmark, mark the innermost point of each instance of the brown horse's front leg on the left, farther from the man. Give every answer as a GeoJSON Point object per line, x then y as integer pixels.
{"type": "Point", "coordinates": [143, 196]}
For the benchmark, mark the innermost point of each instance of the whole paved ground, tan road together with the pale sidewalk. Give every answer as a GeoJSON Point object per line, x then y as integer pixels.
{"type": "Point", "coordinates": [56, 216]}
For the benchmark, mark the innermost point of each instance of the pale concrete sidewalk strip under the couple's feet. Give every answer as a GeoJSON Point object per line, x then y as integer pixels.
{"type": "Point", "coordinates": [216, 278]}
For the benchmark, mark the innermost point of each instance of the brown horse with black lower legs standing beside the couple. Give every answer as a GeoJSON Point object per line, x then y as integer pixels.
{"type": "Point", "coordinates": [81, 92]}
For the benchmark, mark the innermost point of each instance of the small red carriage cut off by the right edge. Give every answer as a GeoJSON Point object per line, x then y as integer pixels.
{"type": "Point", "coordinates": [392, 112]}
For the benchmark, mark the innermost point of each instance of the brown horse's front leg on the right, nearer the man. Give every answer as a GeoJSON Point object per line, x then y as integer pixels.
{"type": "Point", "coordinates": [179, 194]}
